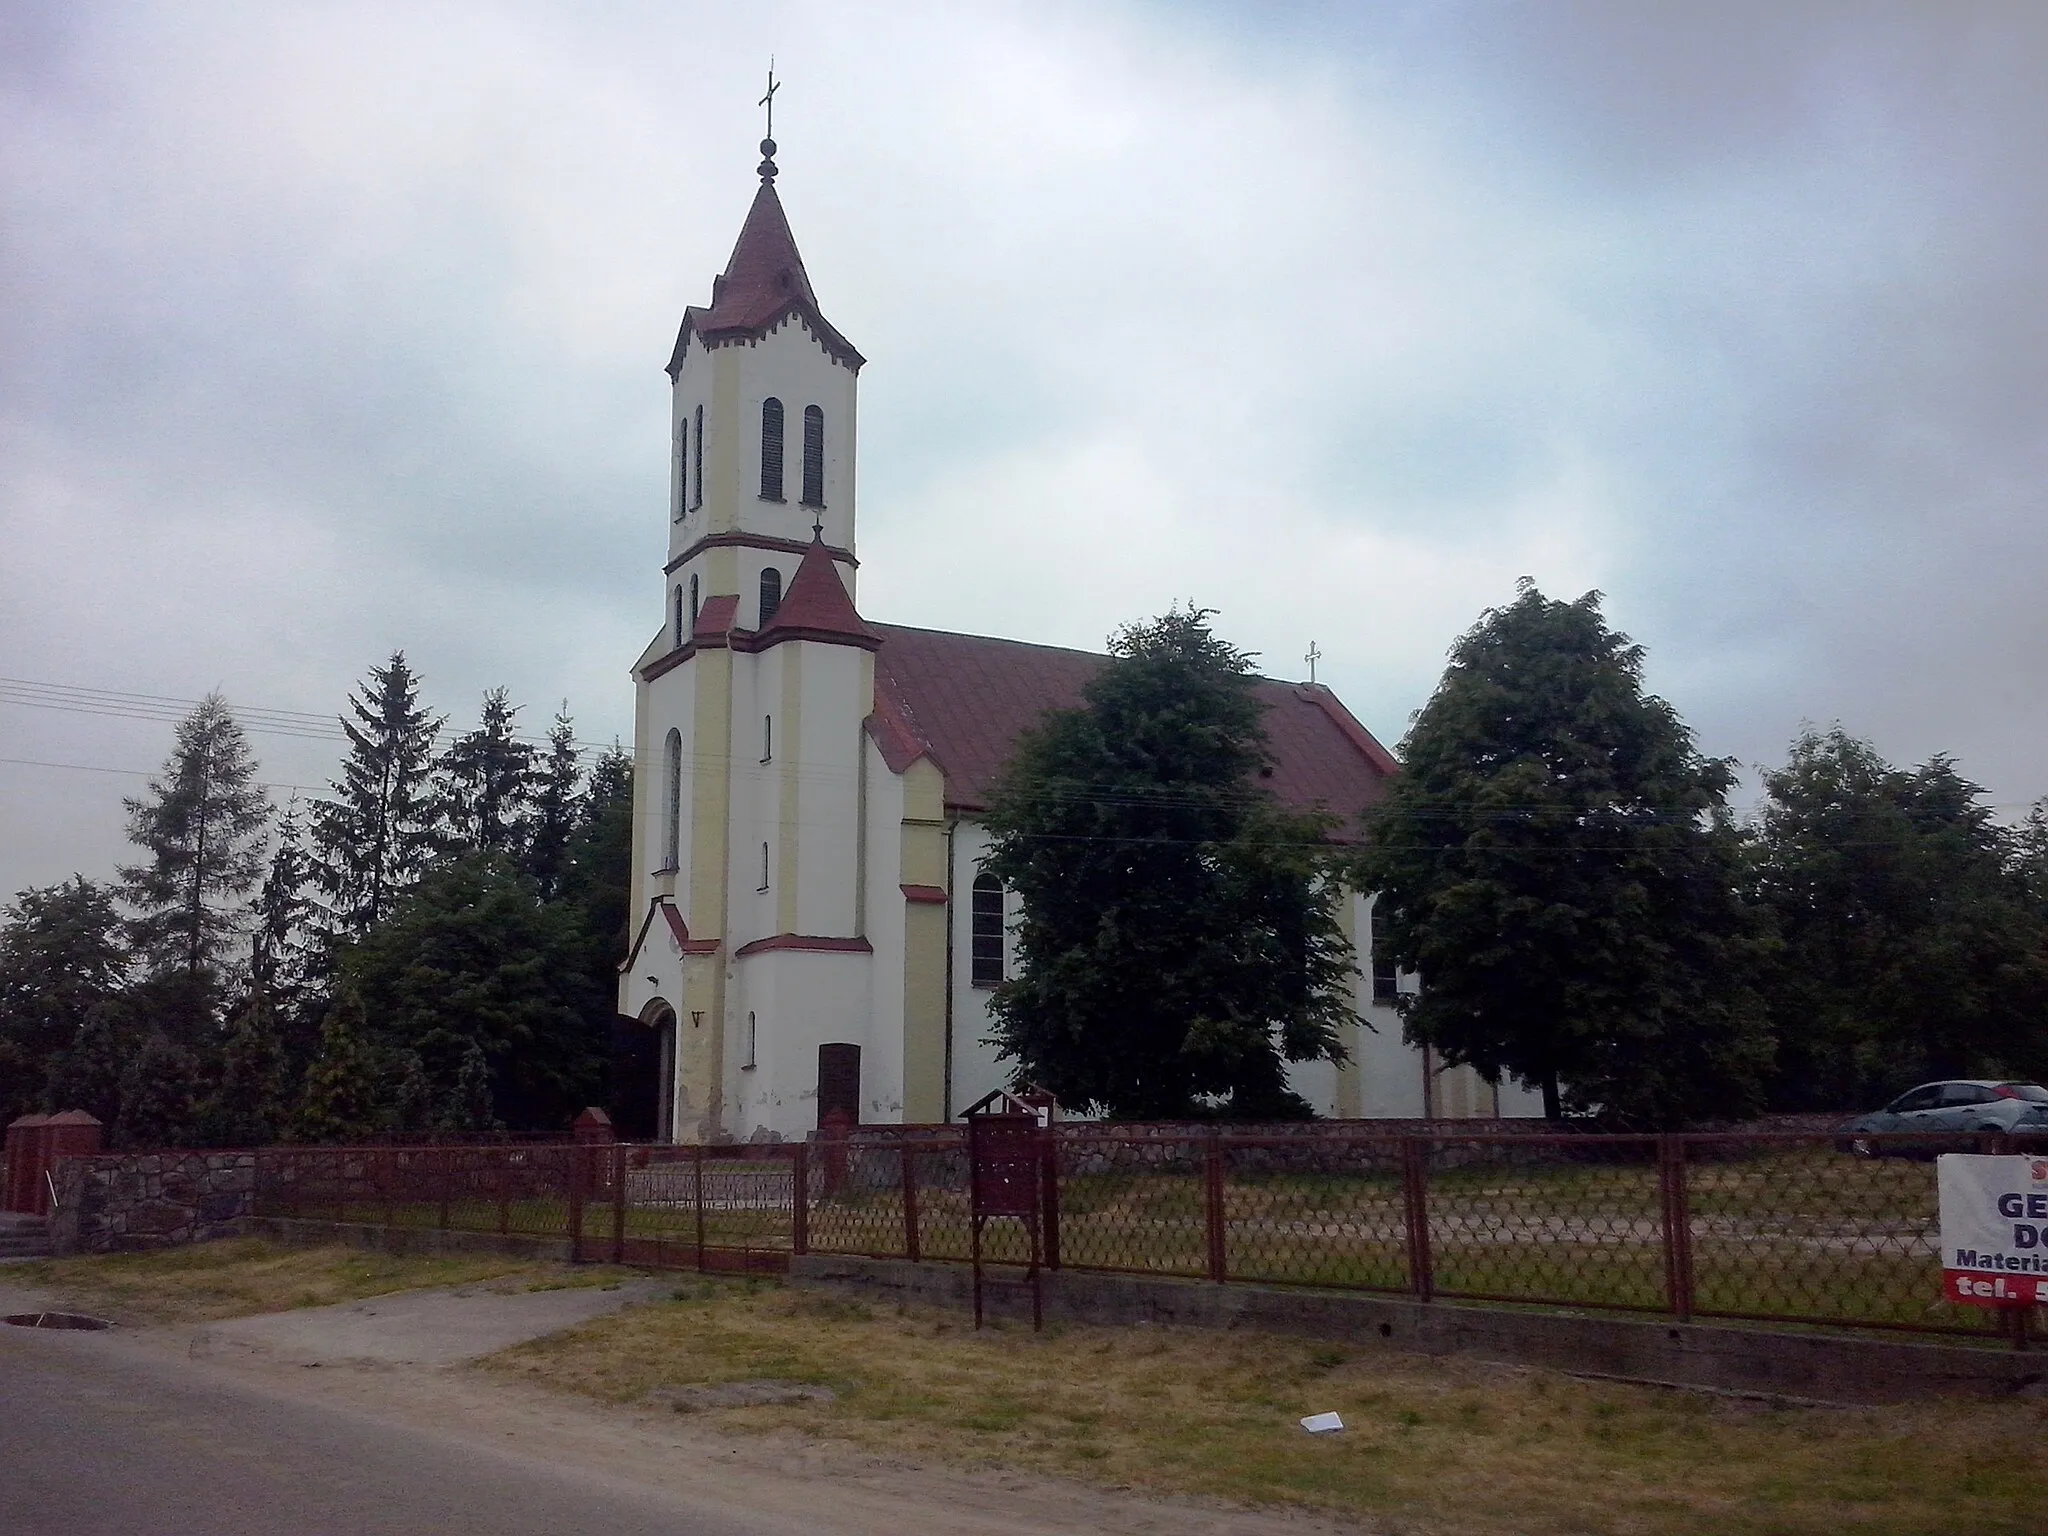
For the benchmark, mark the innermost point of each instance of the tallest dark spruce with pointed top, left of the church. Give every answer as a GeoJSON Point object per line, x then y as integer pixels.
{"type": "Point", "coordinates": [378, 835]}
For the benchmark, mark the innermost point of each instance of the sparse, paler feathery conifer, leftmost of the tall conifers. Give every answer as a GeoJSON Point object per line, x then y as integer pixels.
{"type": "Point", "coordinates": [202, 826]}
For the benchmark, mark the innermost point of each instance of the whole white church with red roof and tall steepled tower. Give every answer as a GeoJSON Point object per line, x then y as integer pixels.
{"type": "Point", "coordinates": [812, 927]}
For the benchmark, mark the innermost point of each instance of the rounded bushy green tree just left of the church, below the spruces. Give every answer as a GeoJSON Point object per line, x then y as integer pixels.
{"type": "Point", "coordinates": [474, 957]}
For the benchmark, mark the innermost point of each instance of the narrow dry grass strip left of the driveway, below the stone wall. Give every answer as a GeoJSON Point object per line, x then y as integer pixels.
{"type": "Point", "coordinates": [245, 1277]}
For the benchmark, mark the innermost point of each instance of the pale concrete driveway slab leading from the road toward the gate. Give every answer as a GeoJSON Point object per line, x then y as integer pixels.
{"type": "Point", "coordinates": [423, 1328]}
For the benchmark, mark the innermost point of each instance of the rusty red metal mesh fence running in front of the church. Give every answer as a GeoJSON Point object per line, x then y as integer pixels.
{"type": "Point", "coordinates": [1762, 1228]}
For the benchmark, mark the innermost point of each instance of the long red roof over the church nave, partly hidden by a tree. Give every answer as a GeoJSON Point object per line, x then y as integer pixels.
{"type": "Point", "coordinates": [966, 699]}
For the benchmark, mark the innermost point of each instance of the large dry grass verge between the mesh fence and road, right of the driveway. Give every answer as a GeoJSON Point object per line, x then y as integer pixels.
{"type": "Point", "coordinates": [1441, 1447]}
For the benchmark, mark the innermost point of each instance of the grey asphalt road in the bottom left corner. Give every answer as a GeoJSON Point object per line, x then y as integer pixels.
{"type": "Point", "coordinates": [99, 1437]}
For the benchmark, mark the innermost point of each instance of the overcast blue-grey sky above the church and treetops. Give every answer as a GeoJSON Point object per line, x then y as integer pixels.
{"type": "Point", "coordinates": [339, 329]}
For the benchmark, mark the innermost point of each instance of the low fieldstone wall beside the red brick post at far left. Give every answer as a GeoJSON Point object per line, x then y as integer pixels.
{"type": "Point", "coordinates": [120, 1203]}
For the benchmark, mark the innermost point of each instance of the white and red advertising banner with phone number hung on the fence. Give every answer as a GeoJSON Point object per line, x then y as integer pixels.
{"type": "Point", "coordinates": [1994, 1230]}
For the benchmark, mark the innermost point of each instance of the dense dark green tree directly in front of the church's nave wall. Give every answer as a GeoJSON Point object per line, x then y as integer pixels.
{"type": "Point", "coordinates": [1179, 941]}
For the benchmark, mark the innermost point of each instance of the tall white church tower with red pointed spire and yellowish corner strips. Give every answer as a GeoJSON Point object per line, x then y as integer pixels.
{"type": "Point", "coordinates": [751, 957]}
